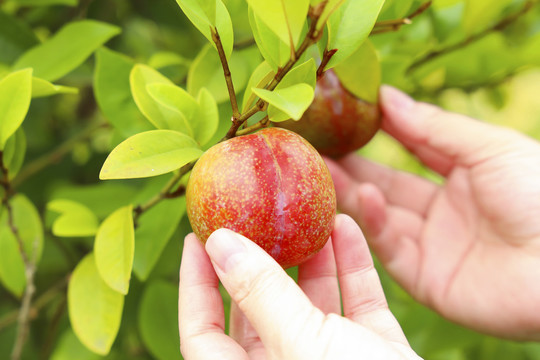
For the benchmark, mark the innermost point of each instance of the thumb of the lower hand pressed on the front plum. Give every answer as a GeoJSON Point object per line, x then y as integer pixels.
{"type": "Point", "coordinates": [272, 302]}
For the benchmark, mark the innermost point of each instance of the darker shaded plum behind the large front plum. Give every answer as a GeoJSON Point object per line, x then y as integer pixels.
{"type": "Point", "coordinates": [336, 123]}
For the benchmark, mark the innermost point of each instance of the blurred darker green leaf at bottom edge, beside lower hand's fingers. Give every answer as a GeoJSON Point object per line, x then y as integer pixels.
{"type": "Point", "coordinates": [158, 320]}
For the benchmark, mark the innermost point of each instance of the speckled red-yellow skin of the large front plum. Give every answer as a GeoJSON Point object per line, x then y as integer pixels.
{"type": "Point", "coordinates": [272, 187]}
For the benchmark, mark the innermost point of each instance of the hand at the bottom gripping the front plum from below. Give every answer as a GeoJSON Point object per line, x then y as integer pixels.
{"type": "Point", "coordinates": [274, 318]}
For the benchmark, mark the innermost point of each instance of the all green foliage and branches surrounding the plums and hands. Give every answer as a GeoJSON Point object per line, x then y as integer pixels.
{"type": "Point", "coordinates": [105, 106]}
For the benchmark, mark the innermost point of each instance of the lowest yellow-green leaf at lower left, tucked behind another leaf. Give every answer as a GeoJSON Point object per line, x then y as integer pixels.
{"type": "Point", "coordinates": [95, 310]}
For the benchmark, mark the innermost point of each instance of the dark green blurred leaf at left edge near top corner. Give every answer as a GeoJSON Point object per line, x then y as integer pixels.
{"type": "Point", "coordinates": [15, 38]}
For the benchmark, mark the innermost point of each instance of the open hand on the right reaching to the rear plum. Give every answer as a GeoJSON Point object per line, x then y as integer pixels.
{"type": "Point", "coordinates": [470, 247]}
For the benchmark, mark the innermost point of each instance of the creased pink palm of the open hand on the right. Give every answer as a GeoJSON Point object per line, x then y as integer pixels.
{"type": "Point", "coordinates": [475, 244]}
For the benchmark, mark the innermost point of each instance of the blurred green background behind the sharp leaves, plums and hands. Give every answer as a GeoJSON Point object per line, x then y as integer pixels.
{"type": "Point", "coordinates": [495, 79]}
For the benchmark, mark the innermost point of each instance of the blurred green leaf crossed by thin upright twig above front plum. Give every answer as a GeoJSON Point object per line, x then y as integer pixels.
{"type": "Point", "coordinates": [206, 72]}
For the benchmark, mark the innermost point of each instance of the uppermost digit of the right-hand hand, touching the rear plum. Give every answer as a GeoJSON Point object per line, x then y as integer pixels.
{"type": "Point", "coordinates": [439, 138]}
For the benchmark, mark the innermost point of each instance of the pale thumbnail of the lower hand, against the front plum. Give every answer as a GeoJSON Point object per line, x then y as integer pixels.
{"type": "Point", "coordinates": [225, 249]}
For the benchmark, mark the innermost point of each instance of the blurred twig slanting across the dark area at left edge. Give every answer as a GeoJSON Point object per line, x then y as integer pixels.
{"type": "Point", "coordinates": [56, 155]}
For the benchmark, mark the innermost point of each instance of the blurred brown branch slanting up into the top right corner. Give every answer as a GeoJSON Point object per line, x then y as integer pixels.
{"type": "Point", "coordinates": [499, 26]}
